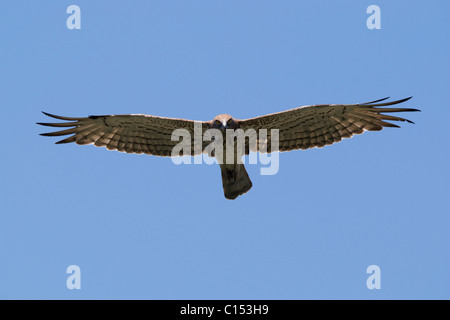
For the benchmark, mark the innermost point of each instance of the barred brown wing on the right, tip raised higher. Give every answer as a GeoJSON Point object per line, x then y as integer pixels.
{"type": "Point", "coordinates": [320, 125]}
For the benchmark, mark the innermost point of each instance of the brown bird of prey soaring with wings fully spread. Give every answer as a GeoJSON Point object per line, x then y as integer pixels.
{"type": "Point", "coordinates": [305, 127]}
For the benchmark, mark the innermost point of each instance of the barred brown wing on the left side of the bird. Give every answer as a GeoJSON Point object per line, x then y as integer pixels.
{"type": "Point", "coordinates": [131, 133]}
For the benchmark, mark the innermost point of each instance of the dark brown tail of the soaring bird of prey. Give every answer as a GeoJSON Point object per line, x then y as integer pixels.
{"type": "Point", "coordinates": [235, 181]}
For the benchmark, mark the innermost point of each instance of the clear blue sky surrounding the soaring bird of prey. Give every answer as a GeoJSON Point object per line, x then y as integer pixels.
{"type": "Point", "coordinates": [142, 227]}
